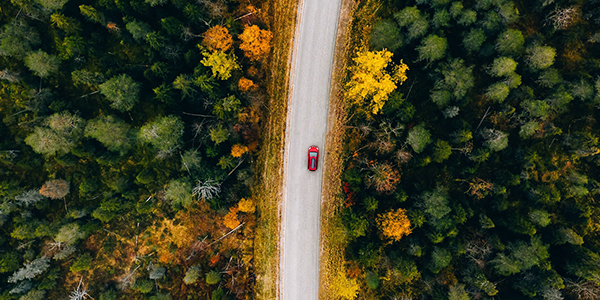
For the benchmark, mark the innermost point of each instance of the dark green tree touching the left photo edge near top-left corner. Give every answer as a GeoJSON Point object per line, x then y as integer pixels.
{"type": "Point", "coordinates": [17, 38]}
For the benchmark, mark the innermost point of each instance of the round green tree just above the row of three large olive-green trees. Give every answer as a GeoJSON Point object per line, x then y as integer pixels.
{"type": "Point", "coordinates": [122, 91]}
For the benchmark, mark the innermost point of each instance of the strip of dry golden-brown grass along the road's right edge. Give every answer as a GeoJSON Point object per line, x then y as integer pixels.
{"type": "Point", "coordinates": [353, 33]}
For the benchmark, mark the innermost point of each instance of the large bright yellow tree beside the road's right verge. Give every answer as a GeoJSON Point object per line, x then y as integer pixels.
{"type": "Point", "coordinates": [371, 81]}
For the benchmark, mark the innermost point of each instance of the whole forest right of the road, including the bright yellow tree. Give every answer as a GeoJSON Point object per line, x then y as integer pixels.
{"type": "Point", "coordinates": [472, 149]}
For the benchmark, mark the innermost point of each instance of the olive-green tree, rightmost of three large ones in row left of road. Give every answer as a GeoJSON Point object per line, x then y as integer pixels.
{"type": "Point", "coordinates": [163, 133]}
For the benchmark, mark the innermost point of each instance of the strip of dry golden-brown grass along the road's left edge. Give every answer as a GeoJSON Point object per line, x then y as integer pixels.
{"type": "Point", "coordinates": [280, 15]}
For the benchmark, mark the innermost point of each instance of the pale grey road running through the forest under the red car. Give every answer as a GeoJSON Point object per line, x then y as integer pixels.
{"type": "Point", "coordinates": [306, 125]}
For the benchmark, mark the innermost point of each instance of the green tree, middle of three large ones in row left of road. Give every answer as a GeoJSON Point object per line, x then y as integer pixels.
{"type": "Point", "coordinates": [113, 133]}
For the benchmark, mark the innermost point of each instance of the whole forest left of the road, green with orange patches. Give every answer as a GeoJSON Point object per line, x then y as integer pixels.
{"type": "Point", "coordinates": [128, 135]}
